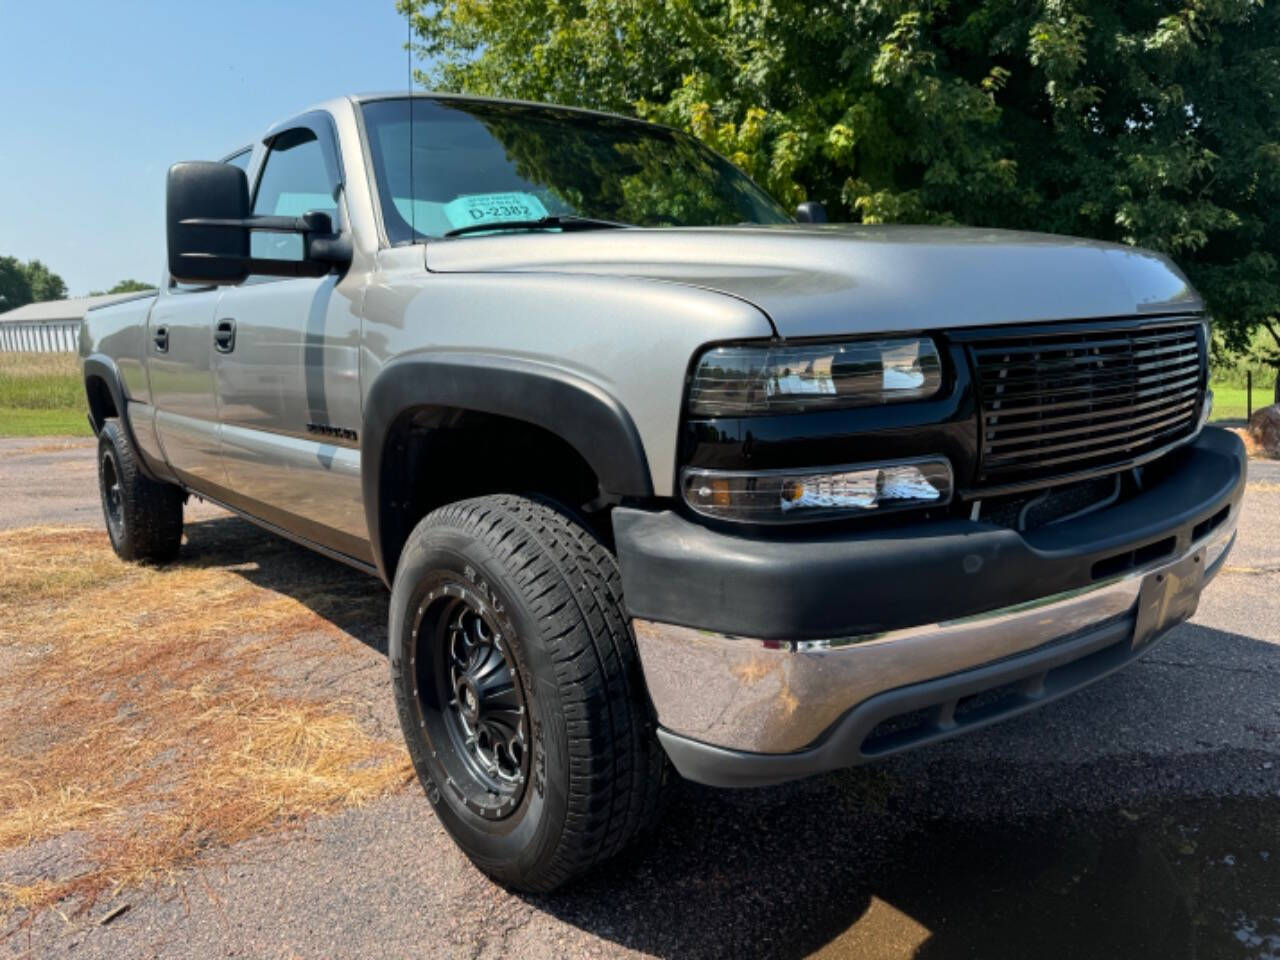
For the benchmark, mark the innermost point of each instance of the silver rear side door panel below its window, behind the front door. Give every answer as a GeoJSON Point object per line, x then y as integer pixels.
{"type": "Point", "coordinates": [180, 363]}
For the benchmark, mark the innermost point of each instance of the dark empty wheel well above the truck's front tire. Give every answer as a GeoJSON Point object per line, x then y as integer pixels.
{"type": "Point", "coordinates": [440, 455]}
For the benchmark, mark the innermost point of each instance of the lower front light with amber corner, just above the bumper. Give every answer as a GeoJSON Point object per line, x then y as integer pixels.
{"type": "Point", "coordinates": [825, 493]}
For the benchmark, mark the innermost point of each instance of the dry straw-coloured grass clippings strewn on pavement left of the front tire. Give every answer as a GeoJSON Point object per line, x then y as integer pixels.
{"type": "Point", "coordinates": [147, 711]}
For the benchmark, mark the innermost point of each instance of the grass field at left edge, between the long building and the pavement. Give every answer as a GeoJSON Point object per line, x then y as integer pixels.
{"type": "Point", "coordinates": [42, 396]}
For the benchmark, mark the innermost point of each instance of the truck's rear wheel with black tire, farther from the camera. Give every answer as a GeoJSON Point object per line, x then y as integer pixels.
{"type": "Point", "coordinates": [144, 518]}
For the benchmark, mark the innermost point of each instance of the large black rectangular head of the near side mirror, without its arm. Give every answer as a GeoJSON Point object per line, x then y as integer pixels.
{"type": "Point", "coordinates": [207, 254]}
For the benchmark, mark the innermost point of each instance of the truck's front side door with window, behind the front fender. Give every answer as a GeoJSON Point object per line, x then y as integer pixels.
{"type": "Point", "coordinates": [286, 362]}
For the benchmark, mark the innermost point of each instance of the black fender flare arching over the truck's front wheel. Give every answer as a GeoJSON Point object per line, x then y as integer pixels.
{"type": "Point", "coordinates": [574, 409]}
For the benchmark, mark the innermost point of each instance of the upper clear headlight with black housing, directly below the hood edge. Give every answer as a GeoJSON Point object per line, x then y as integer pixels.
{"type": "Point", "coordinates": [781, 378]}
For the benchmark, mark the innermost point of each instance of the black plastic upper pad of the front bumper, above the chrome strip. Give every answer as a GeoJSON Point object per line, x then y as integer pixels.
{"type": "Point", "coordinates": [851, 584]}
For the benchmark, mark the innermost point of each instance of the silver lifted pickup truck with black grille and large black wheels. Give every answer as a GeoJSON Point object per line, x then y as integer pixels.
{"type": "Point", "coordinates": [660, 476]}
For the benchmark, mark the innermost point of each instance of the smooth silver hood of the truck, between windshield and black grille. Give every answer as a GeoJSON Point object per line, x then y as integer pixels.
{"type": "Point", "coordinates": [833, 280]}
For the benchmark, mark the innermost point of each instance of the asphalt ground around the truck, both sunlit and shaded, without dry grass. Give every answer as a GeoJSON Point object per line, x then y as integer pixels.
{"type": "Point", "coordinates": [1136, 819]}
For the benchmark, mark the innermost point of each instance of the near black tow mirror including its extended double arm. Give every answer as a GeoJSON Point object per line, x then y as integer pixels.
{"type": "Point", "coordinates": [211, 230]}
